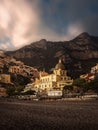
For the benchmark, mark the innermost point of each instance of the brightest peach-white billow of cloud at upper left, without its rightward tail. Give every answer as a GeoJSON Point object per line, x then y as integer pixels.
{"type": "Point", "coordinates": [18, 21]}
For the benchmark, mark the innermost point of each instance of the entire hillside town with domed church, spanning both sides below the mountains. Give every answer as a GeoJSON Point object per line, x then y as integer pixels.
{"type": "Point", "coordinates": [39, 82]}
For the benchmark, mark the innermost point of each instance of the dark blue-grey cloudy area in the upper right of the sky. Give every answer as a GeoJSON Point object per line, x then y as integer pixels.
{"type": "Point", "coordinates": [59, 14]}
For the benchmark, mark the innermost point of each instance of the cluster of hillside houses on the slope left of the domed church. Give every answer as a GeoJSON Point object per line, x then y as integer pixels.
{"type": "Point", "coordinates": [11, 69]}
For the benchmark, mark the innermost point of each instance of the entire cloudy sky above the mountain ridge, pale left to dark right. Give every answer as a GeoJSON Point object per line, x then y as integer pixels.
{"type": "Point", "coordinates": [25, 21]}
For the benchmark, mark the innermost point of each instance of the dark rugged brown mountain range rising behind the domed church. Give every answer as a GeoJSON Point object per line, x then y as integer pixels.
{"type": "Point", "coordinates": [78, 55]}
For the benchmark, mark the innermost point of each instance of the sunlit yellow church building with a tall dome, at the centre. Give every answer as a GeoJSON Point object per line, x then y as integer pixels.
{"type": "Point", "coordinates": [56, 81]}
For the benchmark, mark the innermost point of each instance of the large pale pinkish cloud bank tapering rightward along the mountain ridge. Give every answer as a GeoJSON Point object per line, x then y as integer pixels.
{"type": "Point", "coordinates": [21, 23]}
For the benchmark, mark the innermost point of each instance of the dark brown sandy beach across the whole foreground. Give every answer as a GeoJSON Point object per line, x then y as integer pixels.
{"type": "Point", "coordinates": [43, 115]}
